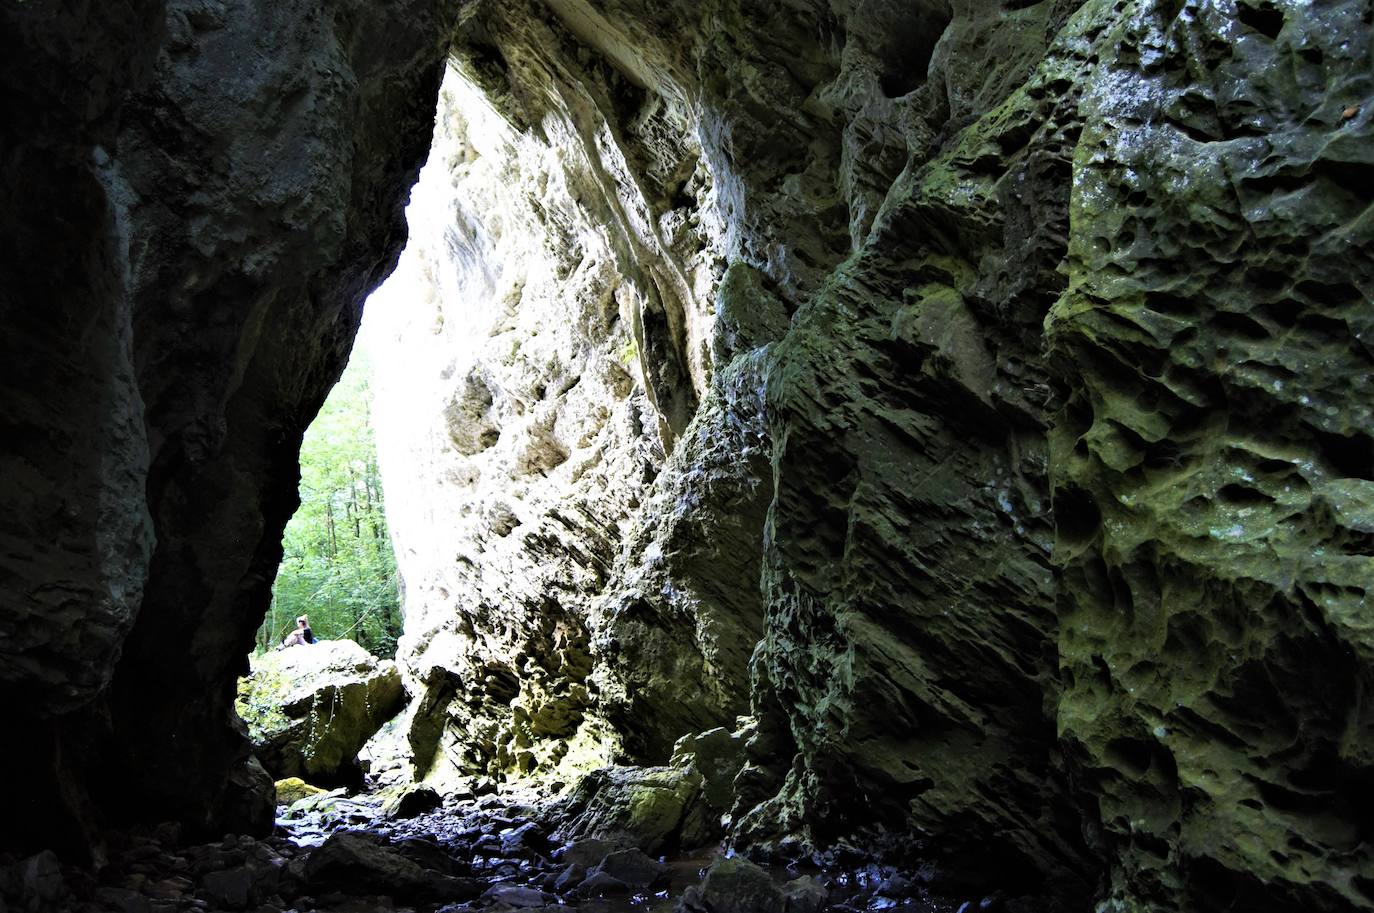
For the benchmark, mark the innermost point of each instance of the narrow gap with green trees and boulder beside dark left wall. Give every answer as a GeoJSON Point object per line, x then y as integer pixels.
{"type": "Point", "coordinates": [324, 710]}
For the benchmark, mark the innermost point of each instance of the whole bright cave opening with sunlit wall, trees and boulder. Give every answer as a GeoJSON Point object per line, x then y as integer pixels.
{"type": "Point", "coordinates": [464, 490]}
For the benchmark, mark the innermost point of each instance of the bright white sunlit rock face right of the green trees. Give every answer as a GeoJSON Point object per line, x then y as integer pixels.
{"type": "Point", "coordinates": [542, 347]}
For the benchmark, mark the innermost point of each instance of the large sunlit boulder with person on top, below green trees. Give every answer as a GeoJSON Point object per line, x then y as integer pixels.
{"type": "Point", "coordinates": [311, 709]}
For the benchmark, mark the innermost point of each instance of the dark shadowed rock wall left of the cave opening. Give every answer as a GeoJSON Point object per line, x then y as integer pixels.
{"type": "Point", "coordinates": [199, 199]}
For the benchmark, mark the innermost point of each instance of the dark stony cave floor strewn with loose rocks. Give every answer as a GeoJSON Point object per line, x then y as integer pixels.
{"type": "Point", "coordinates": [502, 852]}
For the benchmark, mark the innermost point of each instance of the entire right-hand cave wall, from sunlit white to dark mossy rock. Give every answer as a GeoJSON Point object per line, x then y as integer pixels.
{"type": "Point", "coordinates": [994, 428]}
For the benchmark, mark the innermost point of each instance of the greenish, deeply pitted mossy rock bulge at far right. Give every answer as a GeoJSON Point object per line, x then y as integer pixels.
{"type": "Point", "coordinates": [1214, 463]}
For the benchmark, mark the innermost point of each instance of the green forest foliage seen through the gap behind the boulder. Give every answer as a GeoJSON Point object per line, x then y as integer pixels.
{"type": "Point", "coordinates": [339, 566]}
